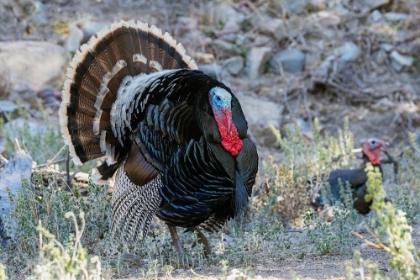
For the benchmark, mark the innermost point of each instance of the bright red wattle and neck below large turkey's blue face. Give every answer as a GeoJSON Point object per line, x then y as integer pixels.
{"type": "Point", "coordinates": [230, 137]}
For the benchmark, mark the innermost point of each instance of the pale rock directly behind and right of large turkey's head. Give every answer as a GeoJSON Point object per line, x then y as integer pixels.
{"type": "Point", "coordinates": [261, 115]}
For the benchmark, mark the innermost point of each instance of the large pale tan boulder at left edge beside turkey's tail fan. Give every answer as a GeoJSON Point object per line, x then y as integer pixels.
{"type": "Point", "coordinates": [38, 64]}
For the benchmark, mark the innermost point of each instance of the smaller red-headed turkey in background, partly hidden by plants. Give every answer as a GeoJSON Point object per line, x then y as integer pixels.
{"type": "Point", "coordinates": [356, 178]}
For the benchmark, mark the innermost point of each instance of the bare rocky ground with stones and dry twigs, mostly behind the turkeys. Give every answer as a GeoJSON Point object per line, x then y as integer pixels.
{"type": "Point", "coordinates": [287, 61]}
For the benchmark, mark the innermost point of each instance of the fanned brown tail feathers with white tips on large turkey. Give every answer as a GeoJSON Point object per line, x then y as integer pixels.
{"type": "Point", "coordinates": [93, 81]}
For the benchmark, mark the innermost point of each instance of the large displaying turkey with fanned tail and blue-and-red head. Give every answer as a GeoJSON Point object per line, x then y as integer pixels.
{"type": "Point", "coordinates": [175, 137]}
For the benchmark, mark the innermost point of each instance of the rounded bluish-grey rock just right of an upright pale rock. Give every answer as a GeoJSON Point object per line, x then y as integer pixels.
{"type": "Point", "coordinates": [292, 60]}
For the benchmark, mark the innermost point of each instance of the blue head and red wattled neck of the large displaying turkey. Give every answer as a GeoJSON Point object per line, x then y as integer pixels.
{"type": "Point", "coordinates": [220, 102]}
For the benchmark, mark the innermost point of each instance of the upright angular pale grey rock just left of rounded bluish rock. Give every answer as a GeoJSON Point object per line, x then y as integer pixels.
{"type": "Point", "coordinates": [256, 60]}
